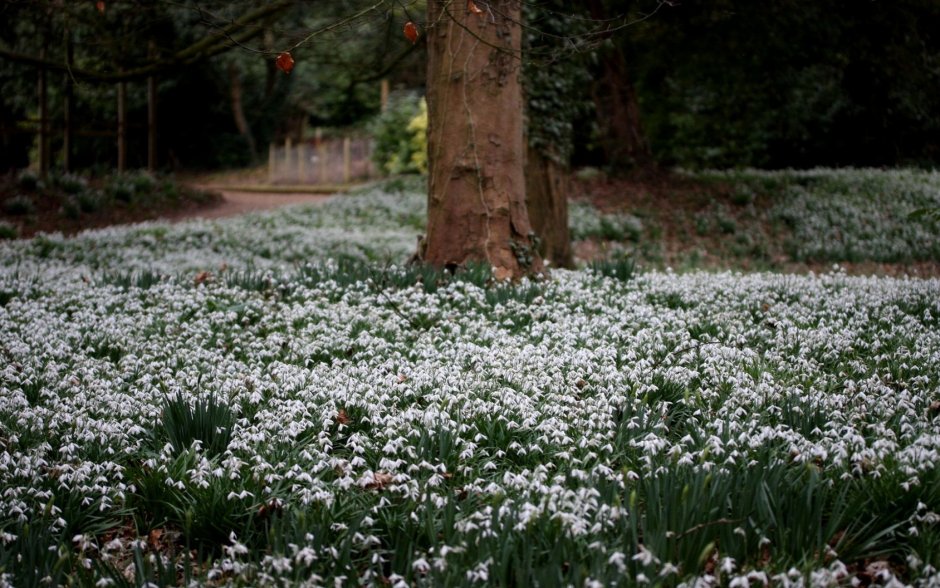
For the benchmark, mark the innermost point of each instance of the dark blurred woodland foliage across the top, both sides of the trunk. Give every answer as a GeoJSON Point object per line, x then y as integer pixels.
{"type": "Point", "coordinates": [716, 83]}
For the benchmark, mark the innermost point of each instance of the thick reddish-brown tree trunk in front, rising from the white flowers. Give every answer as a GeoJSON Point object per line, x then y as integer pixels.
{"type": "Point", "coordinates": [476, 184]}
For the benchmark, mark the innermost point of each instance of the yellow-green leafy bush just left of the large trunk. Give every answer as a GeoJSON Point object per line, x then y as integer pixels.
{"type": "Point", "coordinates": [401, 136]}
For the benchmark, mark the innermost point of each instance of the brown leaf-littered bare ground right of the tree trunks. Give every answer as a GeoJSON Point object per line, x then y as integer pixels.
{"type": "Point", "coordinates": [689, 223]}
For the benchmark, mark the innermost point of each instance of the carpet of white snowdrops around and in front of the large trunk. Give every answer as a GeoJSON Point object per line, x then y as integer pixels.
{"type": "Point", "coordinates": [241, 402]}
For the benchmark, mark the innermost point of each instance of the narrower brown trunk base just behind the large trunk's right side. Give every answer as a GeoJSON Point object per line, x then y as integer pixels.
{"type": "Point", "coordinates": [547, 185]}
